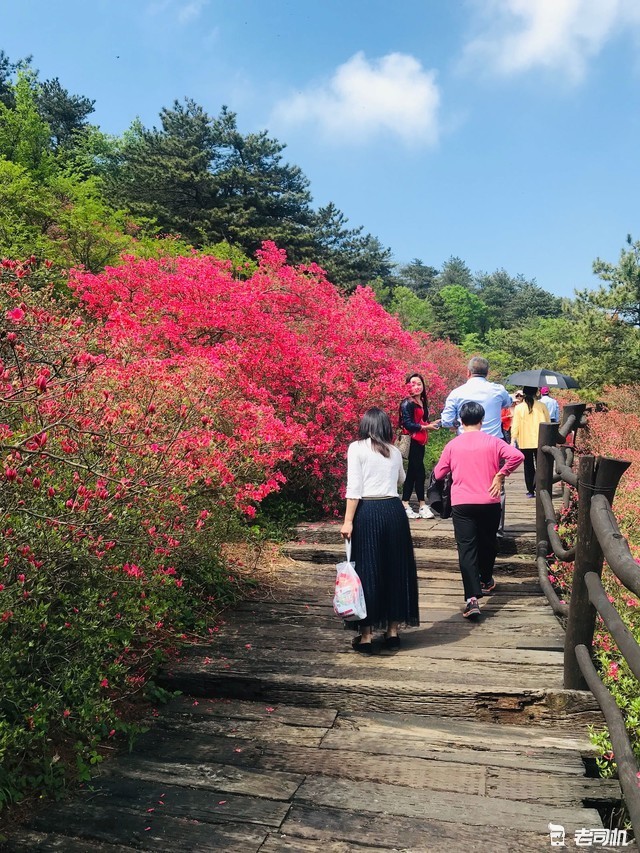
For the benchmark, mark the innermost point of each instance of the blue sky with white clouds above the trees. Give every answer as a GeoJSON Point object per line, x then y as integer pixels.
{"type": "Point", "coordinates": [504, 132]}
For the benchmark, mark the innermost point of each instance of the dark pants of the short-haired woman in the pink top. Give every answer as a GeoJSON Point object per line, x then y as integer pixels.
{"type": "Point", "coordinates": [475, 527]}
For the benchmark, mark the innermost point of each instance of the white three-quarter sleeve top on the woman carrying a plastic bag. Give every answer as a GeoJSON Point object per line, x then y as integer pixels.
{"type": "Point", "coordinates": [370, 474]}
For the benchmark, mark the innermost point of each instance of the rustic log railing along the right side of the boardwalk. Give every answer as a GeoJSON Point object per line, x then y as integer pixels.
{"type": "Point", "coordinates": [597, 537]}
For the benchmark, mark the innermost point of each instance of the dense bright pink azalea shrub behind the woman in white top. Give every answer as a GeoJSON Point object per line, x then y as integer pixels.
{"type": "Point", "coordinates": [285, 345]}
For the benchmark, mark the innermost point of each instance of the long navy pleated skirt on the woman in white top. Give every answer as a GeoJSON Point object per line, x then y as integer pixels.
{"type": "Point", "coordinates": [382, 551]}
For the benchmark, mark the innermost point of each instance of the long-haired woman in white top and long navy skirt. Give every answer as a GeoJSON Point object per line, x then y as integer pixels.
{"type": "Point", "coordinates": [376, 522]}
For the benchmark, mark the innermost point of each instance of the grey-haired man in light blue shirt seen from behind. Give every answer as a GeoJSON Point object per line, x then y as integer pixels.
{"type": "Point", "coordinates": [491, 396]}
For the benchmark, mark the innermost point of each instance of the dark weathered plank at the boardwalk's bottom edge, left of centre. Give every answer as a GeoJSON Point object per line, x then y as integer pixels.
{"type": "Point", "coordinates": [145, 831]}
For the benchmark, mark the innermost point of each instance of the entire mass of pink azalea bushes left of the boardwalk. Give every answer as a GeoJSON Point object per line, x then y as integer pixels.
{"type": "Point", "coordinates": [147, 413]}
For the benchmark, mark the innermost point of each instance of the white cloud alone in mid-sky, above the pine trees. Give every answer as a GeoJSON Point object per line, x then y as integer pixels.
{"type": "Point", "coordinates": [394, 96]}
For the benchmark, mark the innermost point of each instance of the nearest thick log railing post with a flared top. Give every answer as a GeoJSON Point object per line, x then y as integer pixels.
{"type": "Point", "coordinates": [599, 476]}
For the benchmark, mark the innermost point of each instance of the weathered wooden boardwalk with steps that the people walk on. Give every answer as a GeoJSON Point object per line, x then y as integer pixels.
{"type": "Point", "coordinates": [286, 740]}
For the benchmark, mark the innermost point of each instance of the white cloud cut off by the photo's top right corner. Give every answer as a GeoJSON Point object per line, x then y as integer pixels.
{"type": "Point", "coordinates": [559, 35]}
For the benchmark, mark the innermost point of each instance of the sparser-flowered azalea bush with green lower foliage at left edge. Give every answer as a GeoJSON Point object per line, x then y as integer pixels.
{"type": "Point", "coordinates": [115, 501]}
